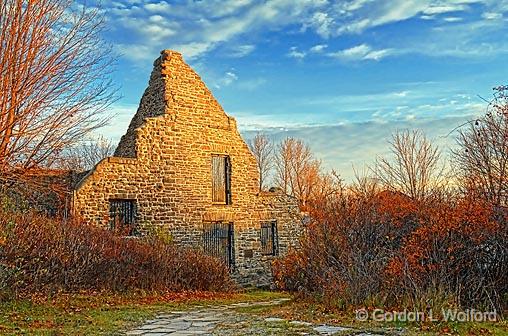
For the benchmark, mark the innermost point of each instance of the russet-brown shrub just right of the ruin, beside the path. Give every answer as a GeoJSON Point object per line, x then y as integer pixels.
{"type": "Point", "coordinates": [344, 252]}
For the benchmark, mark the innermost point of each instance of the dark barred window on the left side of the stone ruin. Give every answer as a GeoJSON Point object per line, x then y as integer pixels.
{"type": "Point", "coordinates": [121, 216]}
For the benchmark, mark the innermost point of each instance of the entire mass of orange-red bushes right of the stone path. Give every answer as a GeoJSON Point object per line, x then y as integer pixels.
{"type": "Point", "coordinates": [386, 249]}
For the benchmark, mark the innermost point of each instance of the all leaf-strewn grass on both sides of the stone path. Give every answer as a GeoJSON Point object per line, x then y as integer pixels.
{"type": "Point", "coordinates": [108, 314]}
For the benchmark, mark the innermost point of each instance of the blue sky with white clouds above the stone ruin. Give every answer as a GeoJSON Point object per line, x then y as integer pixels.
{"type": "Point", "coordinates": [342, 75]}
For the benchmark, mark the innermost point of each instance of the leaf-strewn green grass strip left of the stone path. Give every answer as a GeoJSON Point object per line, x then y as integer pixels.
{"type": "Point", "coordinates": [100, 313]}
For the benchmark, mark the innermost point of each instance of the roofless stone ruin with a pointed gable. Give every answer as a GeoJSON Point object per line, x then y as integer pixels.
{"type": "Point", "coordinates": [183, 166]}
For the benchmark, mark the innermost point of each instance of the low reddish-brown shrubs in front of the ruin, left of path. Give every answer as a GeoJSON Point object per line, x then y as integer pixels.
{"type": "Point", "coordinates": [44, 255]}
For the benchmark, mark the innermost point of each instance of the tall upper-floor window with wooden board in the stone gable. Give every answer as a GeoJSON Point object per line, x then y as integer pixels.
{"type": "Point", "coordinates": [221, 179]}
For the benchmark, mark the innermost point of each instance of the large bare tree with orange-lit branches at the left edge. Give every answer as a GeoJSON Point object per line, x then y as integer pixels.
{"type": "Point", "coordinates": [54, 85]}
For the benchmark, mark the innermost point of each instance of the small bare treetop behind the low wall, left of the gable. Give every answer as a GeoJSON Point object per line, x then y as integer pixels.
{"type": "Point", "coordinates": [85, 155]}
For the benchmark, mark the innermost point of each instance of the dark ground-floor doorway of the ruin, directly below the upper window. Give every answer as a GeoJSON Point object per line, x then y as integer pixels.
{"type": "Point", "coordinates": [218, 241]}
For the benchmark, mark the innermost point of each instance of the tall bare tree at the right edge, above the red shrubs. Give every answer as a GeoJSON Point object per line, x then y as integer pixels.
{"type": "Point", "coordinates": [482, 158]}
